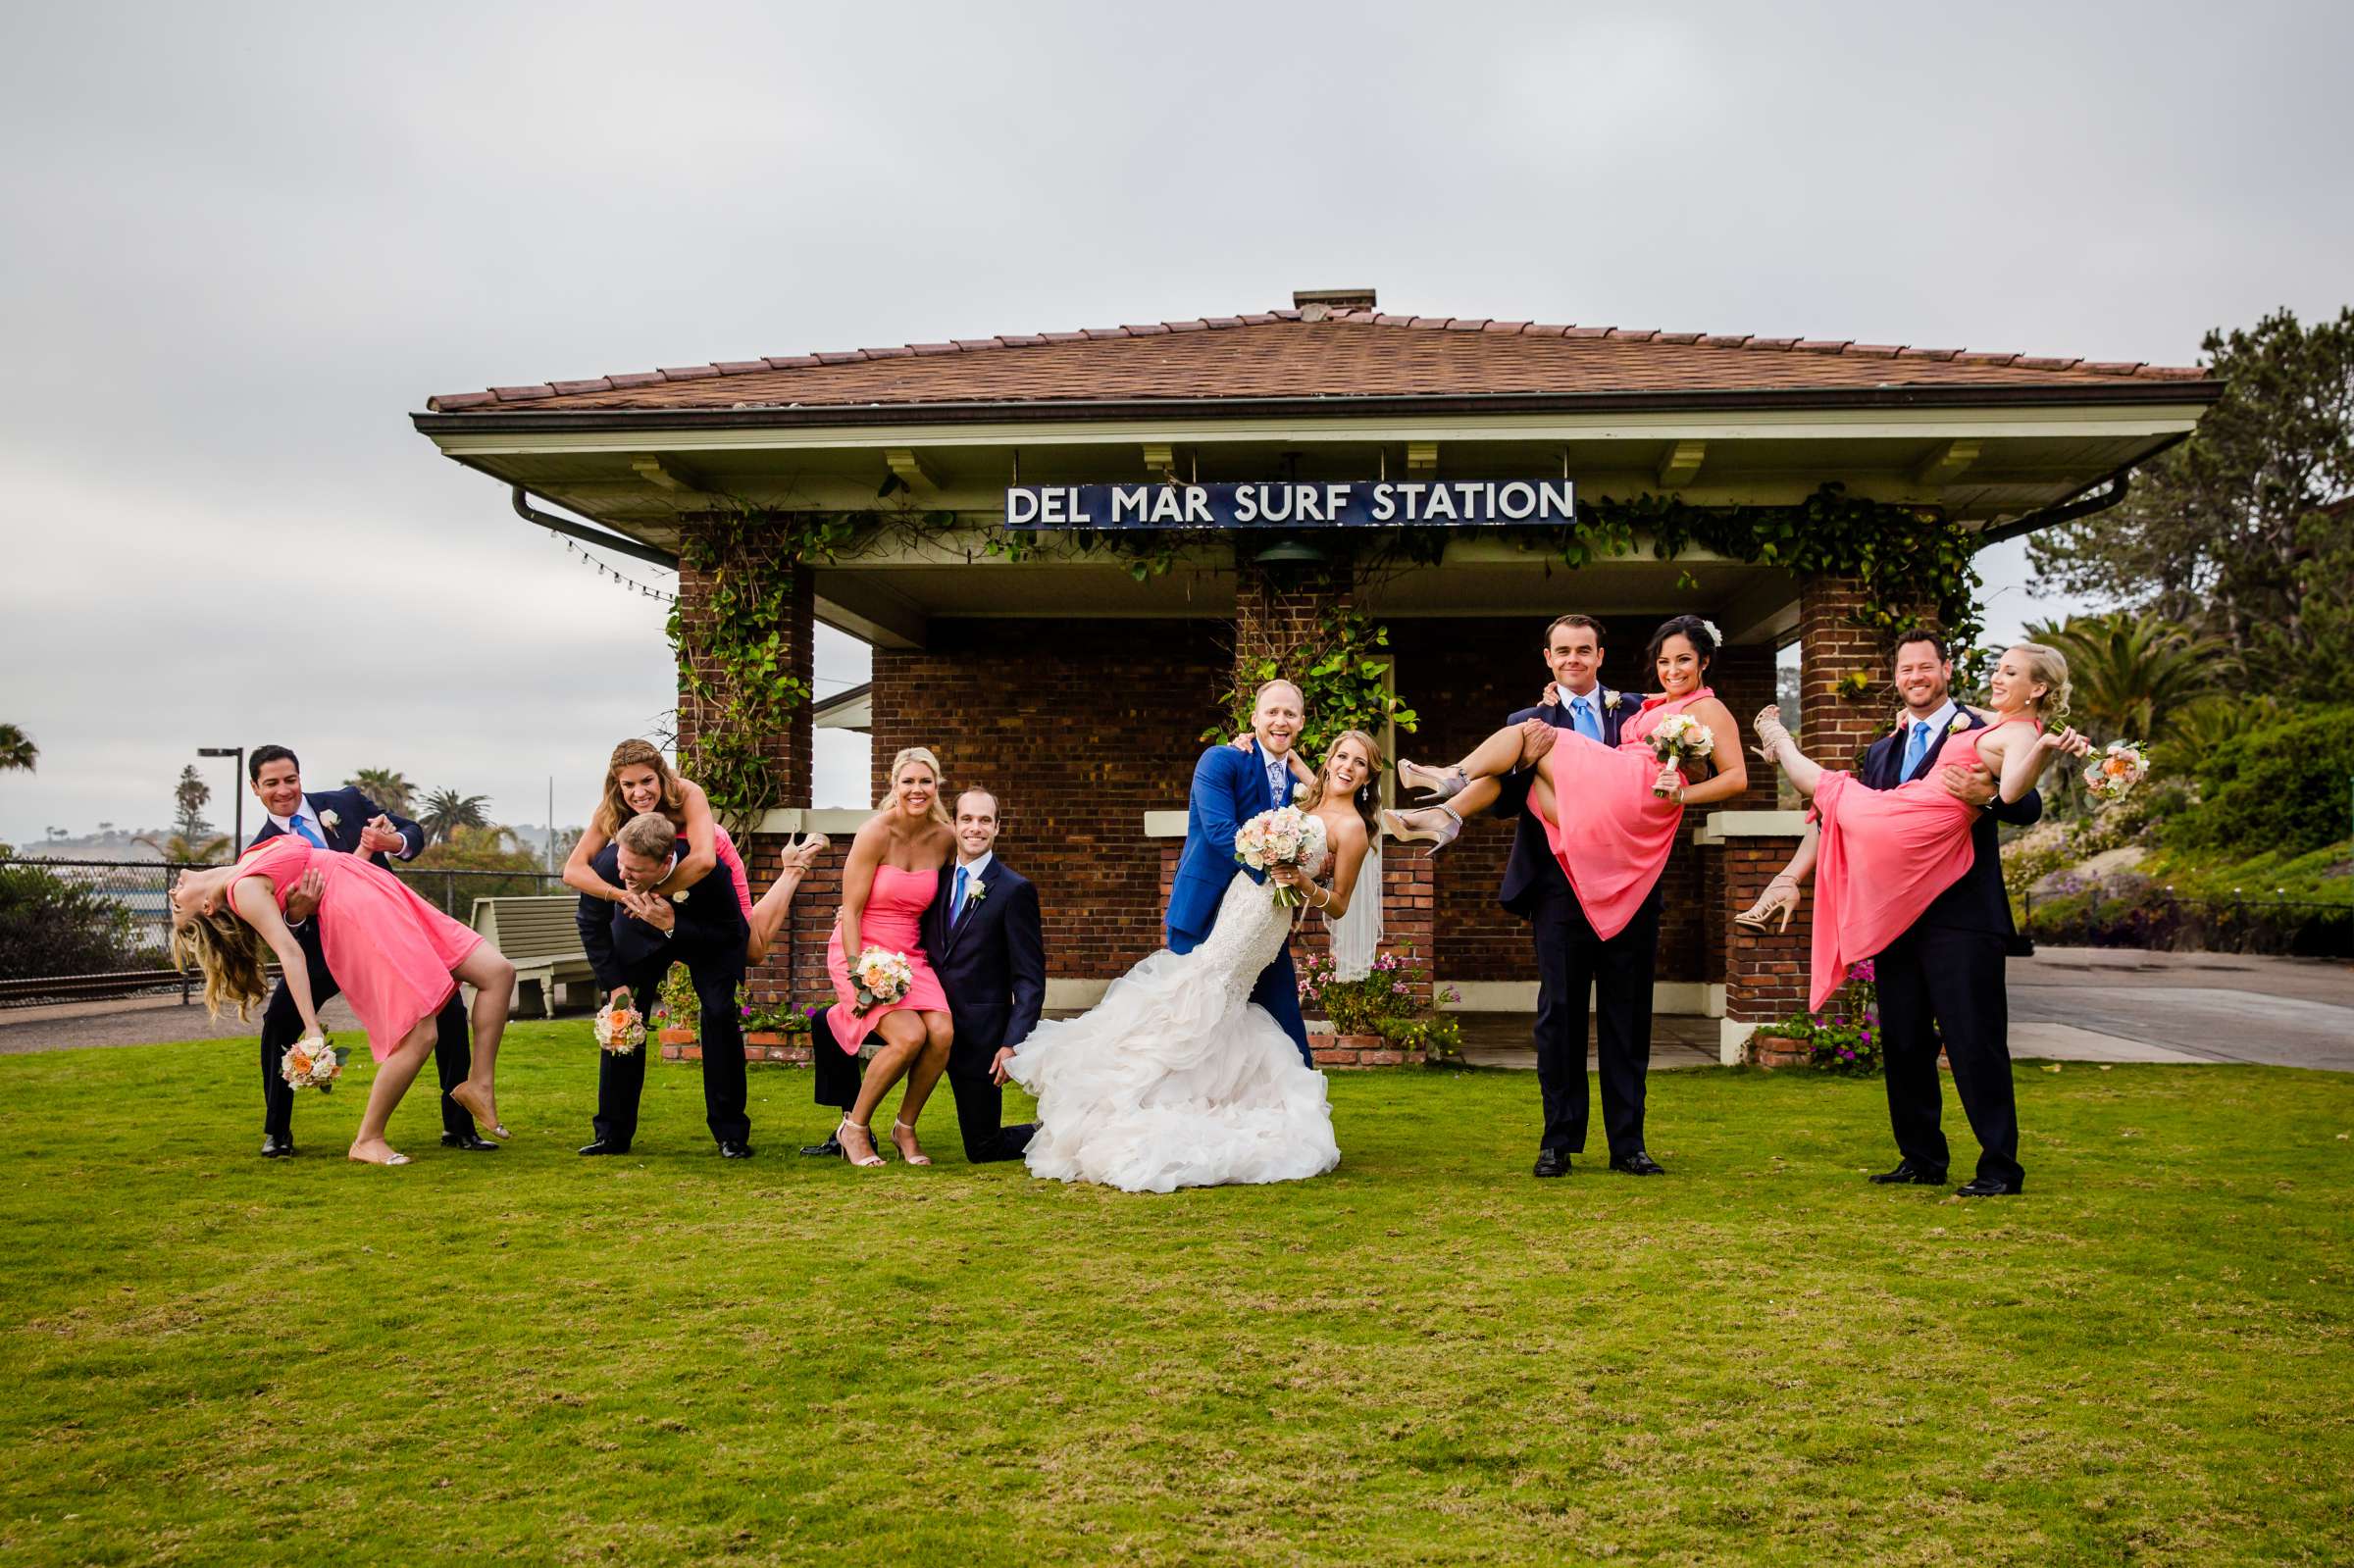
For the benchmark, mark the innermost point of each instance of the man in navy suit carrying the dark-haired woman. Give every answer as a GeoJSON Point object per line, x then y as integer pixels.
{"type": "Point", "coordinates": [1574, 964]}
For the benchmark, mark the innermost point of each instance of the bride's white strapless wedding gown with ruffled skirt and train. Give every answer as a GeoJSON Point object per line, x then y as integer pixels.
{"type": "Point", "coordinates": [1176, 1079]}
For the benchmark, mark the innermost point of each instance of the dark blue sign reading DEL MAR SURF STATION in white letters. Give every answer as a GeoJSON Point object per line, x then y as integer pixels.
{"type": "Point", "coordinates": [1294, 505]}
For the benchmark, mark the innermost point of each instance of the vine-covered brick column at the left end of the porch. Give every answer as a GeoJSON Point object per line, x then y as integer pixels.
{"type": "Point", "coordinates": [787, 752]}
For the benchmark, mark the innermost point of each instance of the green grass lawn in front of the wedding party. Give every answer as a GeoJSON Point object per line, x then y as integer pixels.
{"type": "Point", "coordinates": [1423, 1357]}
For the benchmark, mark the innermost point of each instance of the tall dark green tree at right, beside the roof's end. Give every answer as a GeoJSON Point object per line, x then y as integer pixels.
{"type": "Point", "coordinates": [2228, 531]}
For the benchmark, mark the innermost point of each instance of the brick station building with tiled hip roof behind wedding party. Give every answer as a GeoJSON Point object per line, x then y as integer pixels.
{"type": "Point", "coordinates": [1079, 689]}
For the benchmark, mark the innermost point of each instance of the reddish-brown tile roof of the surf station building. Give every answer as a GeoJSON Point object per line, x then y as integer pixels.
{"type": "Point", "coordinates": [1291, 354]}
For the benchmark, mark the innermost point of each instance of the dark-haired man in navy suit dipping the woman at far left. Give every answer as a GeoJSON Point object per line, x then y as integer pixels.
{"type": "Point", "coordinates": [347, 823]}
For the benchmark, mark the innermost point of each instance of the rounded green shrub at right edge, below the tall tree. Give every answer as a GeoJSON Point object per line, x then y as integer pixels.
{"type": "Point", "coordinates": [2277, 788]}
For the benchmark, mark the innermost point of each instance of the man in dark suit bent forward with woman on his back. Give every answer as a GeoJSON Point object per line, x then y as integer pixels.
{"type": "Point", "coordinates": [634, 945]}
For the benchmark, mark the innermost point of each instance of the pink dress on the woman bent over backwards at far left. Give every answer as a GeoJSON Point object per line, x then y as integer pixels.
{"type": "Point", "coordinates": [387, 948]}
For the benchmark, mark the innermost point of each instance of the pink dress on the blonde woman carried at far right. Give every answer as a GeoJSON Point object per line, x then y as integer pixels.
{"type": "Point", "coordinates": [1882, 858]}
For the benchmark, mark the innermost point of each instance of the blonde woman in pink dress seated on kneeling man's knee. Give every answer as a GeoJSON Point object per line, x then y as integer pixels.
{"type": "Point", "coordinates": [889, 882]}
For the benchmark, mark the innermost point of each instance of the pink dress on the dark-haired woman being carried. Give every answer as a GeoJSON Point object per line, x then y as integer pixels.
{"type": "Point", "coordinates": [1614, 835]}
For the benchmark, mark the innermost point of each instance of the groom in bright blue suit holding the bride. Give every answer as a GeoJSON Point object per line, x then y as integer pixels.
{"type": "Point", "coordinates": [1232, 785]}
